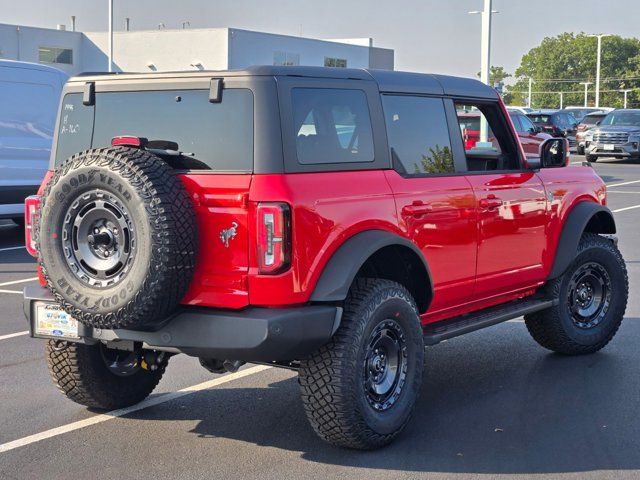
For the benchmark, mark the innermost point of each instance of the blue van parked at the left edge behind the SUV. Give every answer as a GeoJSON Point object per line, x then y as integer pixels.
{"type": "Point", "coordinates": [29, 97]}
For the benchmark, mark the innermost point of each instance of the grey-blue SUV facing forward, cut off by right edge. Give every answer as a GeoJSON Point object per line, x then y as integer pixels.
{"type": "Point", "coordinates": [617, 135]}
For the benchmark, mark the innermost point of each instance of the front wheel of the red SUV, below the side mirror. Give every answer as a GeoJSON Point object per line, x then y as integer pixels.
{"type": "Point", "coordinates": [591, 300]}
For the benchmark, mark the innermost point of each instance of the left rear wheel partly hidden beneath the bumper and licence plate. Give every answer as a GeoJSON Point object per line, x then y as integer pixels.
{"type": "Point", "coordinates": [101, 377]}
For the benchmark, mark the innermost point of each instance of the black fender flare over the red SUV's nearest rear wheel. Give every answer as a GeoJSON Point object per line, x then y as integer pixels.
{"type": "Point", "coordinates": [343, 266]}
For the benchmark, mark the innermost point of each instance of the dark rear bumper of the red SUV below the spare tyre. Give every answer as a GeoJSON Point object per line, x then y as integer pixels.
{"type": "Point", "coordinates": [252, 334]}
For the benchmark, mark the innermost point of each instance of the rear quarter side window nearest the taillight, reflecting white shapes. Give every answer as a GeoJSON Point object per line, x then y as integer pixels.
{"type": "Point", "coordinates": [332, 126]}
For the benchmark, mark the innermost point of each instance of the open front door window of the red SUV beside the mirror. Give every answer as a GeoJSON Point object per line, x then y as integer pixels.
{"type": "Point", "coordinates": [490, 144]}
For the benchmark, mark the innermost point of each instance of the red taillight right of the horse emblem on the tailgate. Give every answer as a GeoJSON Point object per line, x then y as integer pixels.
{"type": "Point", "coordinates": [274, 237]}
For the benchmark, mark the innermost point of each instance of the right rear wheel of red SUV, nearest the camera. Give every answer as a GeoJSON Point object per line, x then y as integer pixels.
{"type": "Point", "coordinates": [359, 390]}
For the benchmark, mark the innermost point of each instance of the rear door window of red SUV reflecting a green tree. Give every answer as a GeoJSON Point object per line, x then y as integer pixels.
{"type": "Point", "coordinates": [418, 135]}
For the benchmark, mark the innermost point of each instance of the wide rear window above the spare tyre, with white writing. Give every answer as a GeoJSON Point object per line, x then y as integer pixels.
{"type": "Point", "coordinates": [218, 136]}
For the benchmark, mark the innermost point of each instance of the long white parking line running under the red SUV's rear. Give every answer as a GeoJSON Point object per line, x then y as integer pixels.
{"type": "Point", "coordinates": [150, 402]}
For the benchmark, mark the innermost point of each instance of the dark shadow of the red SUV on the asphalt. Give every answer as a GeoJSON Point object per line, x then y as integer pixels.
{"type": "Point", "coordinates": [490, 404]}
